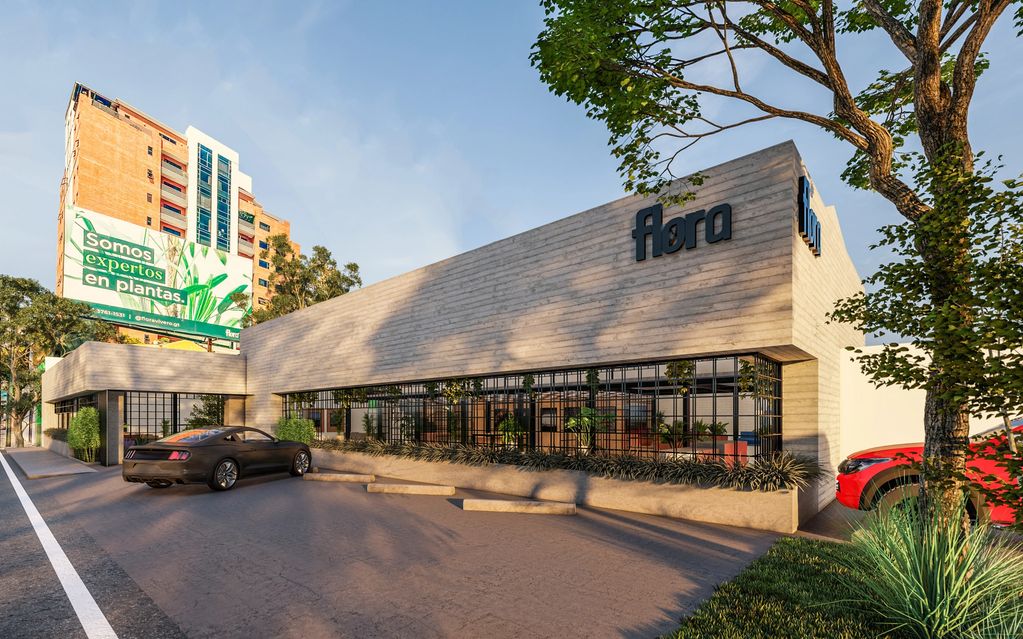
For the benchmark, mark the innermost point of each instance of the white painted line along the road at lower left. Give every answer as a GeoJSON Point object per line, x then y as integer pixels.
{"type": "Point", "coordinates": [93, 619]}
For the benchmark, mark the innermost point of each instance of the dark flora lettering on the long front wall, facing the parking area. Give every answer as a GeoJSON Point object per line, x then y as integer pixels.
{"type": "Point", "coordinates": [681, 232]}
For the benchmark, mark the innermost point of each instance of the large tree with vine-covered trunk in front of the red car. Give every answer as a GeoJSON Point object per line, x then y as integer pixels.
{"type": "Point", "coordinates": [625, 62]}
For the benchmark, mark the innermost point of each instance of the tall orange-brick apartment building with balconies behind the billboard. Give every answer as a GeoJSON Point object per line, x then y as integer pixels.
{"type": "Point", "coordinates": [128, 166]}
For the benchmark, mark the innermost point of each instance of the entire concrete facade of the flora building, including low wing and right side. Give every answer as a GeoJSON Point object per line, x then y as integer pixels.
{"type": "Point", "coordinates": [568, 295]}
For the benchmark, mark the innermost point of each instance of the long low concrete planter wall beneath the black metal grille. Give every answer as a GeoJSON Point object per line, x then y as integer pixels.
{"type": "Point", "coordinates": [777, 512]}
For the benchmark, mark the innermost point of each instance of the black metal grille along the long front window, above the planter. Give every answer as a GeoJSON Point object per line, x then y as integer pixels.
{"type": "Point", "coordinates": [725, 407]}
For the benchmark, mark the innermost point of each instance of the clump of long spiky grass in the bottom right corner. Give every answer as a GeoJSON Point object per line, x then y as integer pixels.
{"type": "Point", "coordinates": [929, 579]}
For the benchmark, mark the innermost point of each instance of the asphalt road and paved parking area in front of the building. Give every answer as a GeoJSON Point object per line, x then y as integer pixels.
{"type": "Point", "coordinates": [283, 558]}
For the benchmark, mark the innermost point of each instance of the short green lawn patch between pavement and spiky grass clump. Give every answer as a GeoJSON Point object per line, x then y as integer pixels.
{"type": "Point", "coordinates": [795, 591]}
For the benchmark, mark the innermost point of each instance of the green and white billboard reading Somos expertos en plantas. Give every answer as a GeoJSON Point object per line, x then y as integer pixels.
{"type": "Point", "coordinates": [138, 277]}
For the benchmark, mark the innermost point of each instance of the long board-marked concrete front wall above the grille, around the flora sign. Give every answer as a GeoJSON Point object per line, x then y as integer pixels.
{"type": "Point", "coordinates": [566, 295]}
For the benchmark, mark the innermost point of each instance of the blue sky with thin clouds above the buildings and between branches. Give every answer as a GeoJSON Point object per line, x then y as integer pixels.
{"type": "Point", "coordinates": [394, 133]}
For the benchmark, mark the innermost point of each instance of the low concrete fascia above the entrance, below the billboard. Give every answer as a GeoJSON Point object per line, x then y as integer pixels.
{"type": "Point", "coordinates": [97, 367]}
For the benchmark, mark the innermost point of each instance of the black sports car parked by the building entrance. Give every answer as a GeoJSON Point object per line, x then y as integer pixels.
{"type": "Point", "coordinates": [216, 457]}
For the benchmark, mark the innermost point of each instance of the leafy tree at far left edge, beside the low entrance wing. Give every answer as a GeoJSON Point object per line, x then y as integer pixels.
{"type": "Point", "coordinates": [36, 325]}
